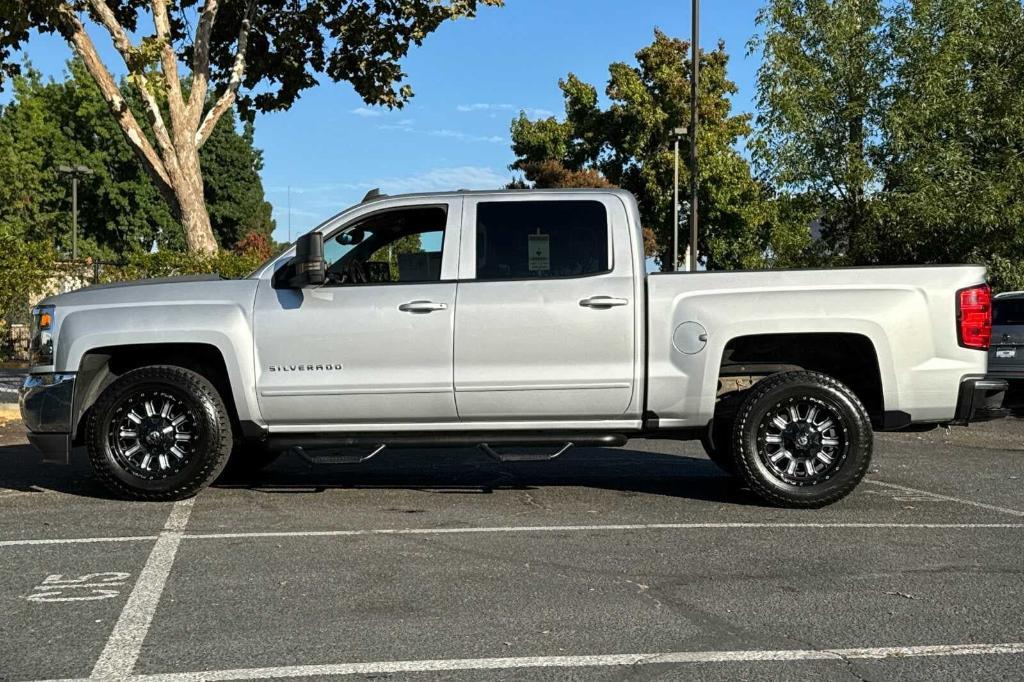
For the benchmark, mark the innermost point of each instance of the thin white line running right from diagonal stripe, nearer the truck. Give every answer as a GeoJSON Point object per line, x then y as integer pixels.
{"type": "Point", "coordinates": [585, 529]}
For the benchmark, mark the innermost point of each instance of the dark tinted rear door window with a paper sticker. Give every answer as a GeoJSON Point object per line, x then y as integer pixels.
{"type": "Point", "coordinates": [538, 240]}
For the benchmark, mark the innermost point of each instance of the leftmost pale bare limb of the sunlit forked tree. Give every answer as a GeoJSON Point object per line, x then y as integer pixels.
{"type": "Point", "coordinates": [119, 108]}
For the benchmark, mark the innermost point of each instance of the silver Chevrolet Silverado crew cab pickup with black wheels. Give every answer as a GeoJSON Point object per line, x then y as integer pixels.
{"type": "Point", "coordinates": [514, 321]}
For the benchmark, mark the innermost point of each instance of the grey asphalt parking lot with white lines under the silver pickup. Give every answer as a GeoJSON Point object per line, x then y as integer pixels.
{"type": "Point", "coordinates": [642, 563]}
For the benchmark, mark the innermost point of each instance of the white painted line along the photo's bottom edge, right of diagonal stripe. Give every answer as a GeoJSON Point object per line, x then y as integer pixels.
{"type": "Point", "coordinates": [607, 661]}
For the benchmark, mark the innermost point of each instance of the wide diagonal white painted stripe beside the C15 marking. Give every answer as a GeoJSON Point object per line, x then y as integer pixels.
{"type": "Point", "coordinates": [119, 657]}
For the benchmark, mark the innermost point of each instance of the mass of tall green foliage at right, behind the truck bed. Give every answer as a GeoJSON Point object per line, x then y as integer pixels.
{"type": "Point", "coordinates": [900, 126]}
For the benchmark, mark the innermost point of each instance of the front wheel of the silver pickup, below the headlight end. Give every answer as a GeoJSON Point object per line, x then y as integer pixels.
{"type": "Point", "coordinates": [159, 433]}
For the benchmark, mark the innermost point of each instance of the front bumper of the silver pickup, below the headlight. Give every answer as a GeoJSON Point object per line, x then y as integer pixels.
{"type": "Point", "coordinates": [47, 409]}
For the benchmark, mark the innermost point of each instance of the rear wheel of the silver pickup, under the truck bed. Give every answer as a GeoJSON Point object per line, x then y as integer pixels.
{"type": "Point", "coordinates": [802, 440]}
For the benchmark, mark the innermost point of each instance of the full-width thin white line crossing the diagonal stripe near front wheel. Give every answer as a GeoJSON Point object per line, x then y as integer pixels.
{"type": "Point", "coordinates": [522, 529]}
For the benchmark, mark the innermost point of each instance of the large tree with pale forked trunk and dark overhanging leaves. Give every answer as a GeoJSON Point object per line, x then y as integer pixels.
{"type": "Point", "coordinates": [263, 54]}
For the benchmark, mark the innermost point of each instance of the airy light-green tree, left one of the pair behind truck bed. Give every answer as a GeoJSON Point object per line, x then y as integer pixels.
{"type": "Point", "coordinates": [821, 99]}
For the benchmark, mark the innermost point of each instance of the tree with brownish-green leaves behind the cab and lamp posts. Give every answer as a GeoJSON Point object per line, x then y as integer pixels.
{"type": "Point", "coordinates": [628, 145]}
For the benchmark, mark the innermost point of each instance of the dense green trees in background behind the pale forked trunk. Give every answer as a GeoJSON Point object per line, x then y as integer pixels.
{"type": "Point", "coordinates": [120, 211]}
